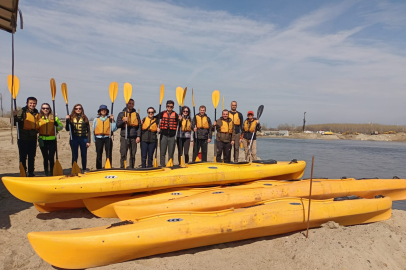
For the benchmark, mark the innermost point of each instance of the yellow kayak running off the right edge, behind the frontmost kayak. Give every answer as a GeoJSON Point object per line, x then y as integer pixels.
{"type": "Point", "coordinates": [237, 198]}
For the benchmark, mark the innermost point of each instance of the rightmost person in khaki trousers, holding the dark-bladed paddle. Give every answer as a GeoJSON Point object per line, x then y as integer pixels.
{"type": "Point", "coordinates": [251, 126]}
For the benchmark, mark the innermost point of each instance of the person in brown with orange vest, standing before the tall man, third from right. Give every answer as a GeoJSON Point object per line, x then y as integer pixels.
{"type": "Point", "coordinates": [225, 136]}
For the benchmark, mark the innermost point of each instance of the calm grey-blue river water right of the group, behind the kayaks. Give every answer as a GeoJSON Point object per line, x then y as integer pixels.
{"type": "Point", "coordinates": [338, 158]}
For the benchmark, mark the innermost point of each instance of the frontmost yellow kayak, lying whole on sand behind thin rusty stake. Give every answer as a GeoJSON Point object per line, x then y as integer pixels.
{"type": "Point", "coordinates": [85, 248]}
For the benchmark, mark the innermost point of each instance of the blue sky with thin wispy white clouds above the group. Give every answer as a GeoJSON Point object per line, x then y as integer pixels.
{"type": "Point", "coordinates": [338, 61]}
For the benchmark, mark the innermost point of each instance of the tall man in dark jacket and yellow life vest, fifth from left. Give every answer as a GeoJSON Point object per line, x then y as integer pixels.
{"type": "Point", "coordinates": [130, 118]}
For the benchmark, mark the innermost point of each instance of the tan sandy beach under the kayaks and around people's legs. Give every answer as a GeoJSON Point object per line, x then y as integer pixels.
{"type": "Point", "coordinates": [379, 245]}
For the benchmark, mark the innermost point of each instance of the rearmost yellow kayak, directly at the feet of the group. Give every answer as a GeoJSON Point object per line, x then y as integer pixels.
{"type": "Point", "coordinates": [114, 181]}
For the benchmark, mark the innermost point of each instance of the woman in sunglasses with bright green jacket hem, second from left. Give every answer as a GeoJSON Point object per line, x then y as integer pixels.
{"type": "Point", "coordinates": [46, 125]}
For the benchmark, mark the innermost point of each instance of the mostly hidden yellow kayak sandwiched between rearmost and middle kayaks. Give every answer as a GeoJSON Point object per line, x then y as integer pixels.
{"type": "Point", "coordinates": [104, 206]}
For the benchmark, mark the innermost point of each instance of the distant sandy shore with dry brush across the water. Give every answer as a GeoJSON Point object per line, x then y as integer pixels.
{"type": "Point", "coordinates": [399, 137]}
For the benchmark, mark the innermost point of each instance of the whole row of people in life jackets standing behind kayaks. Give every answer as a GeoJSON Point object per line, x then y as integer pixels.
{"type": "Point", "coordinates": [168, 128]}
